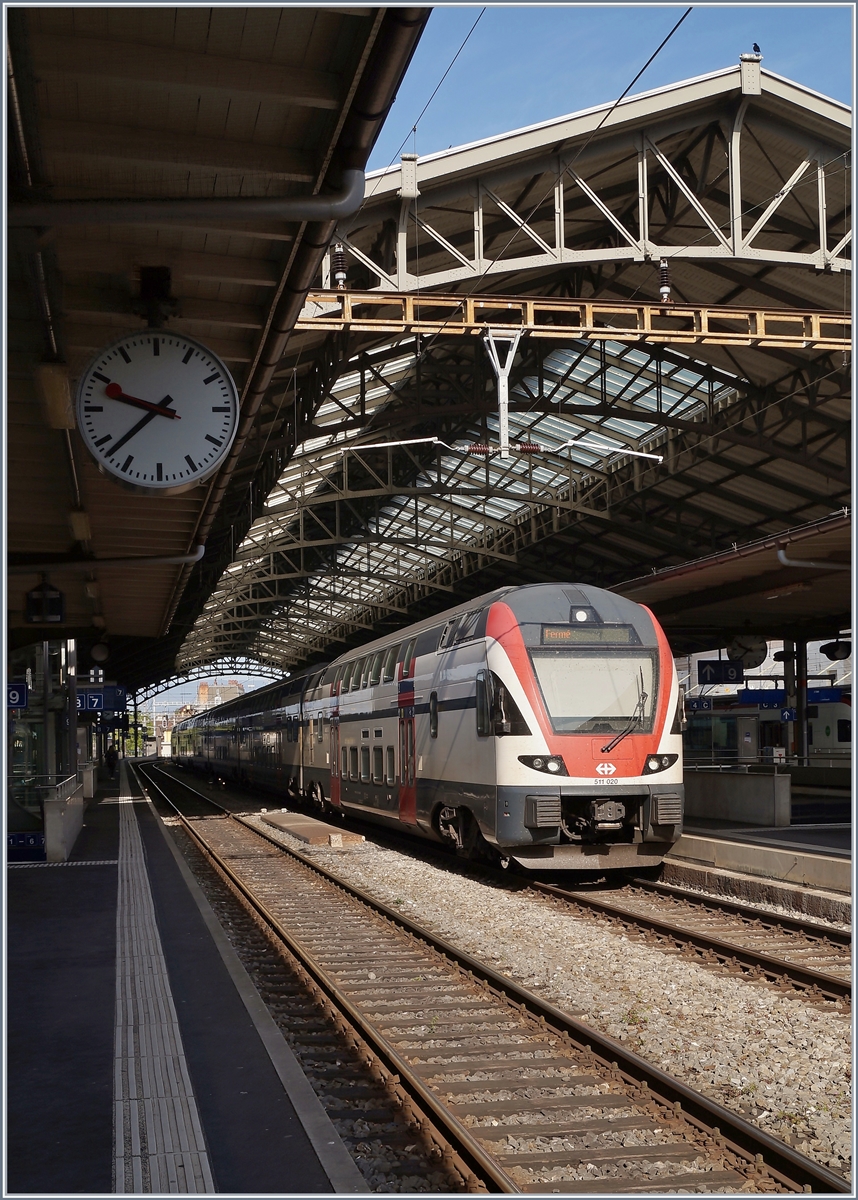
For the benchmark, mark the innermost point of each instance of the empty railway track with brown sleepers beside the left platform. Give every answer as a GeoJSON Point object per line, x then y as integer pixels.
{"type": "Point", "coordinates": [518, 1095]}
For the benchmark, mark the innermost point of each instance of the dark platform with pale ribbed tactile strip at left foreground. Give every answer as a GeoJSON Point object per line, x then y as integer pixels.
{"type": "Point", "coordinates": [141, 1059]}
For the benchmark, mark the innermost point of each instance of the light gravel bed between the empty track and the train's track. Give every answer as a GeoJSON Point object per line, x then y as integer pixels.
{"type": "Point", "coordinates": [775, 1059]}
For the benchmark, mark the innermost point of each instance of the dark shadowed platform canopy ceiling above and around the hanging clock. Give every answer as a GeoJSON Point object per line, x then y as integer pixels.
{"type": "Point", "coordinates": [175, 105]}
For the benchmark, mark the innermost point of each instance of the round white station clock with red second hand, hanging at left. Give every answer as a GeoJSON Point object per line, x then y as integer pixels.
{"type": "Point", "coordinates": [158, 411]}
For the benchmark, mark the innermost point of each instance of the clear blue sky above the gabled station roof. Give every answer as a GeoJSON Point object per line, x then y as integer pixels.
{"type": "Point", "coordinates": [530, 63]}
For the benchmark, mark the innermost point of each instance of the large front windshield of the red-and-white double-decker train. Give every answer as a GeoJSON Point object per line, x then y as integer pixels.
{"type": "Point", "coordinates": [597, 692]}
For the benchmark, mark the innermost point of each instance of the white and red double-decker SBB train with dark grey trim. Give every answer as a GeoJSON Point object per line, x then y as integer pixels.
{"type": "Point", "coordinates": [539, 724]}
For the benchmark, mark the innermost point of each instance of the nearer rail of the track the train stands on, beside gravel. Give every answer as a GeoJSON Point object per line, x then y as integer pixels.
{"type": "Point", "coordinates": [831, 987]}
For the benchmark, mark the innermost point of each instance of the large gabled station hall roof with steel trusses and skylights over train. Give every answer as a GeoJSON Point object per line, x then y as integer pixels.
{"type": "Point", "coordinates": [361, 505]}
